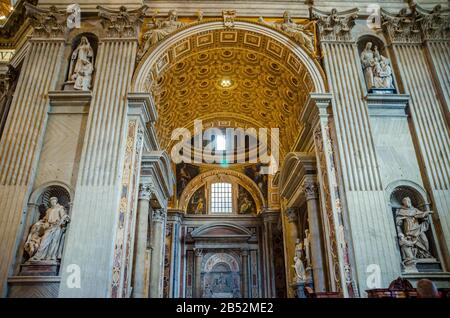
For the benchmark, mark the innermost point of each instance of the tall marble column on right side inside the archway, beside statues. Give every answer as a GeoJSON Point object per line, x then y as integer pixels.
{"type": "Point", "coordinates": [310, 189]}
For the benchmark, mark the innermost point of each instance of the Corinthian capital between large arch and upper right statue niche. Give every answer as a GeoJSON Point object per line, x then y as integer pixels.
{"type": "Point", "coordinates": [335, 25]}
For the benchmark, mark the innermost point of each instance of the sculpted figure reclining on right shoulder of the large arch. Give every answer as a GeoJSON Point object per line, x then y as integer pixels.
{"type": "Point", "coordinates": [296, 31]}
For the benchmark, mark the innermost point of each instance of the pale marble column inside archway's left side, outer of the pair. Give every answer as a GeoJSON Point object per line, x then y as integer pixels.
{"type": "Point", "coordinates": [140, 279]}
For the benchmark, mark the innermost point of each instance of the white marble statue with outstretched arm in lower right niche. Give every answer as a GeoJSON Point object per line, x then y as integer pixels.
{"type": "Point", "coordinates": [412, 225]}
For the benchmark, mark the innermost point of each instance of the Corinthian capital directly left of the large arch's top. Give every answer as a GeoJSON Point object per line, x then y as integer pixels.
{"type": "Point", "coordinates": [122, 22]}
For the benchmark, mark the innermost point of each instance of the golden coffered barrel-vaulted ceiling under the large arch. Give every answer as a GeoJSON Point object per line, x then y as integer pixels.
{"type": "Point", "coordinates": [269, 85]}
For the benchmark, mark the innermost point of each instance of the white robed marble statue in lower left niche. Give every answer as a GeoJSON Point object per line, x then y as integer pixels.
{"type": "Point", "coordinates": [45, 241]}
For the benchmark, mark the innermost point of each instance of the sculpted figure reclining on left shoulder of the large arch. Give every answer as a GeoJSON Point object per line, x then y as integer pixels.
{"type": "Point", "coordinates": [159, 29]}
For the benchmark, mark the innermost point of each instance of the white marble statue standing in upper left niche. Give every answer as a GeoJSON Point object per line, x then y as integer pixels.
{"type": "Point", "coordinates": [82, 65]}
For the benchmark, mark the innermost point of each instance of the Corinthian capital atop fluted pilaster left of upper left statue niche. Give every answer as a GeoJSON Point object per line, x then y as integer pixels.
{"type": "Point", "coordinates": [47, 23]}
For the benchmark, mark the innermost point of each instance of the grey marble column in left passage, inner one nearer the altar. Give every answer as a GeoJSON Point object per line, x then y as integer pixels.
{"type": "Point", "coordinates": [157, 255]}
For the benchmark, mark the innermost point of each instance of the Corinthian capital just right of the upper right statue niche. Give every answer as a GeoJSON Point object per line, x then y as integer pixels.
{"type": "Point", "coordinates": [403, 27]}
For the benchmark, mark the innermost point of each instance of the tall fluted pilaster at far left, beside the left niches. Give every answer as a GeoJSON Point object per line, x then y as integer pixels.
{"type": "Point", "coordinates": [22, 137]}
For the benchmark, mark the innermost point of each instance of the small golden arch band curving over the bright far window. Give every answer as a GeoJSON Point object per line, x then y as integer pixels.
{"type": "Point", "coordinates": [235, 176]}
